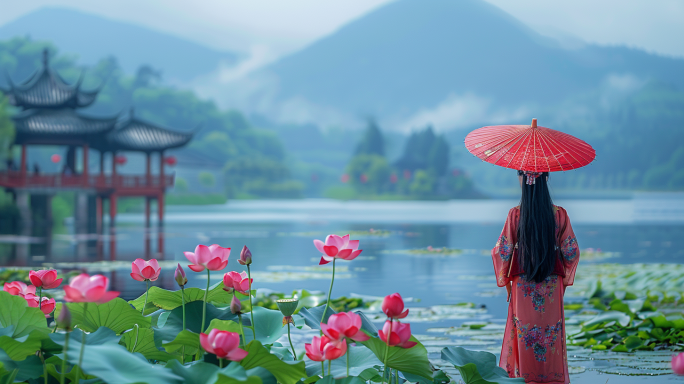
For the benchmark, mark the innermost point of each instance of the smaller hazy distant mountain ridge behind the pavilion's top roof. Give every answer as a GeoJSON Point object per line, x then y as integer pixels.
{"type": "Point", "coordinates": [95, 38]}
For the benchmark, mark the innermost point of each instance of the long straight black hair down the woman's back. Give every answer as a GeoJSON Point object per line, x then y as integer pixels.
{"type": "Point", "coordinates": [537, 229]}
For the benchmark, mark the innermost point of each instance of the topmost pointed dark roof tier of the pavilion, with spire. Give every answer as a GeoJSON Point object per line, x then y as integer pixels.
{"type": "Point", "coordinates": [47, 89]}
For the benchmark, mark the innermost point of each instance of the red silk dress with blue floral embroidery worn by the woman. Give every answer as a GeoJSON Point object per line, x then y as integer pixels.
{"type": "Point", "coordinates": [534, 342]}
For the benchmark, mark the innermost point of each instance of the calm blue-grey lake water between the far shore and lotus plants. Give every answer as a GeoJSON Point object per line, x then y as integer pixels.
{"type": "Point", "coordinates": [644, 229]}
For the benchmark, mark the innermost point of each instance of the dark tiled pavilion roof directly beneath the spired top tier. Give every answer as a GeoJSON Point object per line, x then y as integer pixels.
{"type": "Point", "coordinates": [59, 126]}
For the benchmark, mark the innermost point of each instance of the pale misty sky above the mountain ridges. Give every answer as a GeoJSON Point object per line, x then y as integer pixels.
{"type": "Point", "coordinates": [272, 28]}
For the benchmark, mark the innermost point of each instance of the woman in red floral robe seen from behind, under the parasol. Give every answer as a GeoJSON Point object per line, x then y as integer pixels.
{"type": "Point", "coordinates": [535, 259]}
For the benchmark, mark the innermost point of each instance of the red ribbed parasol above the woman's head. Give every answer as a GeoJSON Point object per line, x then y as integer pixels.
{"type": "Point", "coordinates": [529, 148]}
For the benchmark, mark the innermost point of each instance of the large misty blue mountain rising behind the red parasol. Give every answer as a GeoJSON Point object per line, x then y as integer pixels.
{"type": "Point", "coordinates": [413, 62]}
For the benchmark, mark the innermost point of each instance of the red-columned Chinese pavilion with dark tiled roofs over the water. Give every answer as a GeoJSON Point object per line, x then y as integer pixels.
{"type": "Point", "coordinates": [50, 116]}
